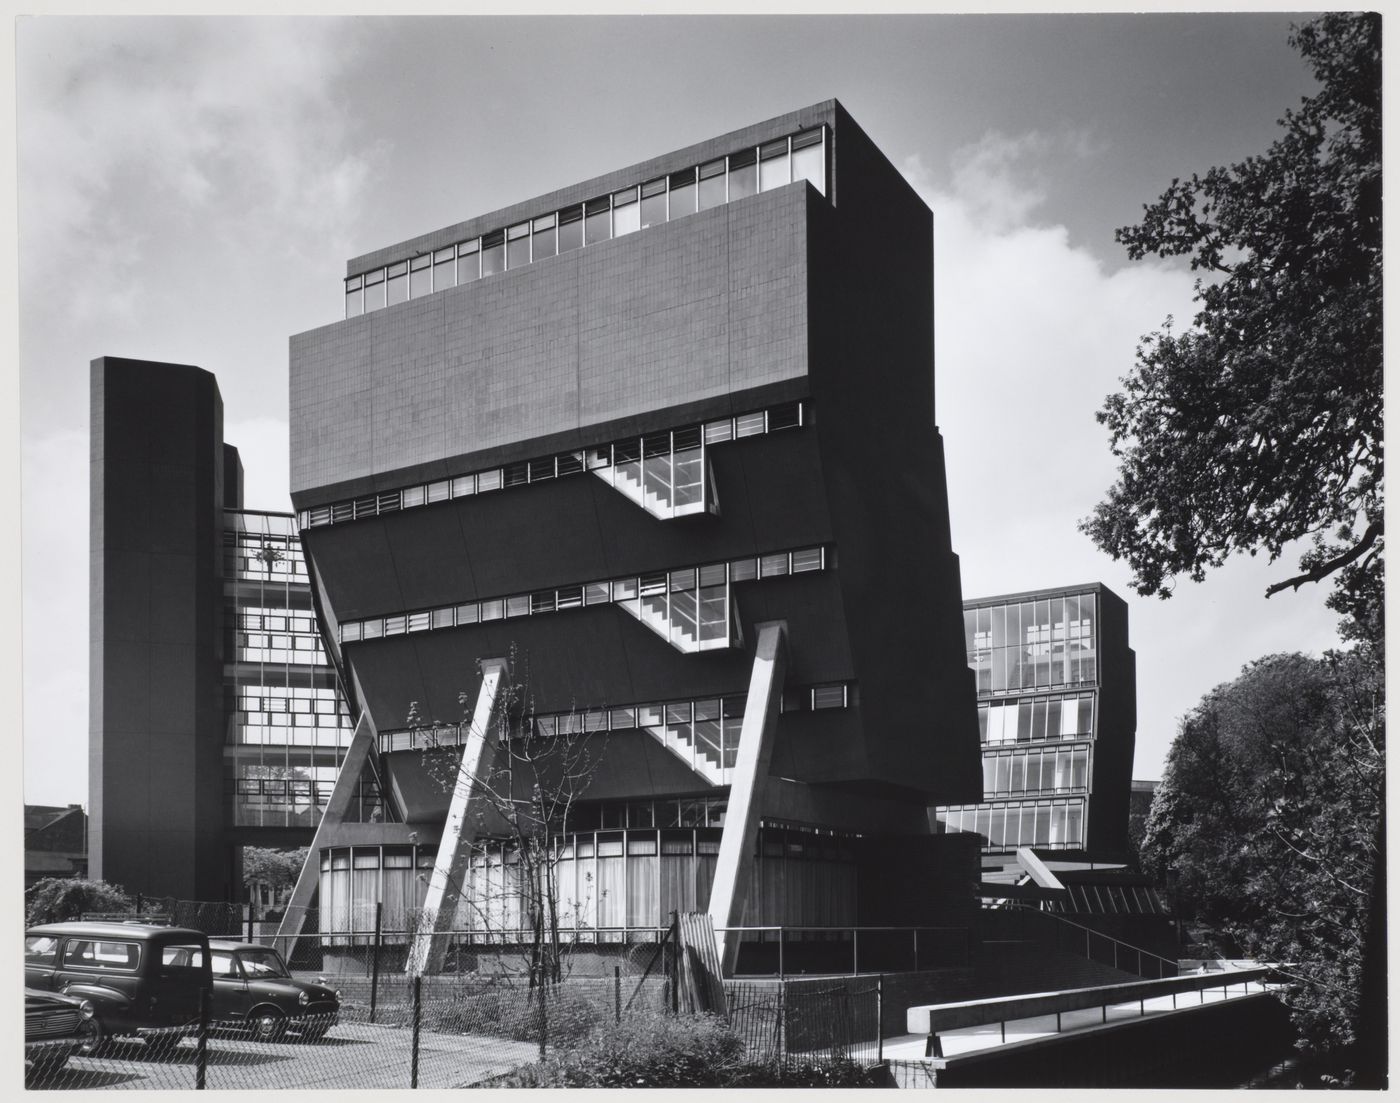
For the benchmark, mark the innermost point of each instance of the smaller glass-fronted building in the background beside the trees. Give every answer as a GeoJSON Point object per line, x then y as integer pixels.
{"type": "Point", "coordinates": [1058, 719]}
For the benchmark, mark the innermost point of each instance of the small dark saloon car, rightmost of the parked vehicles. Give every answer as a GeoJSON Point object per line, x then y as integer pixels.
{"type": "Point", "coordinates": [253, 986]}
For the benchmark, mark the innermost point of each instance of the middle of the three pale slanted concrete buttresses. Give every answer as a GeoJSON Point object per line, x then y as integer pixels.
{"type": "Point", "coordinates": [460, 832]}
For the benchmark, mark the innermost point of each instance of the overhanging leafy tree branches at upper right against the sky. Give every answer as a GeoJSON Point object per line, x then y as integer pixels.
{"type": "Point", "coordinates": [1263, 423]}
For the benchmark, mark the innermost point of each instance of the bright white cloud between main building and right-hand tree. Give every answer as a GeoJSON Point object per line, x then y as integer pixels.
{"type": "Point", "coordinates": [1031, 335]}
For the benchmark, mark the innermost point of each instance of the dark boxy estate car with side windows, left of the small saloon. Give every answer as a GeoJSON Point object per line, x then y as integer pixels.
{"type": "Point", "coordinates": [141, 979]}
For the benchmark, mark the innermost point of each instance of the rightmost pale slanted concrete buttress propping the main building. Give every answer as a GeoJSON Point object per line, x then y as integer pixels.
{"type": "Point", "coordinates": [734, 870]}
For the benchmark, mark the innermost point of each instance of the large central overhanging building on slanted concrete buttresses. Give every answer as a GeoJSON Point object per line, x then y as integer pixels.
{"type": "Point", "coordinates": [666, 437]}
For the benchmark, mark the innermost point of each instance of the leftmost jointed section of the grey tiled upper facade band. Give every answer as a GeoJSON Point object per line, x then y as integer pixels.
{"type": "Point", "coordinates": [331, 409]}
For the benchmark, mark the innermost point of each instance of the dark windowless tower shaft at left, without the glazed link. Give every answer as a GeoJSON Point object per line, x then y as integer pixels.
{"type": "Point", "coordinates": [156, 712]}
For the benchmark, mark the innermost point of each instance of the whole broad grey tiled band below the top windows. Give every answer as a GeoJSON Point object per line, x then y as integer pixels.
{"type": "Point", "coordinates": [688, 311]}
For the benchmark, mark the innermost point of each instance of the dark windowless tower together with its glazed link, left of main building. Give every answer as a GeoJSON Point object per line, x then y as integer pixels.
{"type": "Point", "coordinates": [215, 716]}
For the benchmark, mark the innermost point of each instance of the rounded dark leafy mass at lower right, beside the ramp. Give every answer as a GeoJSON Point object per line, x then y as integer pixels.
{"type": "Point", "coordinates": [1265, 827]}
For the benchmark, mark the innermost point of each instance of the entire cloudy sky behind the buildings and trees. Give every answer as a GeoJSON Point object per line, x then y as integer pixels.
{"type": "Point", "coordinates": [190, 191]}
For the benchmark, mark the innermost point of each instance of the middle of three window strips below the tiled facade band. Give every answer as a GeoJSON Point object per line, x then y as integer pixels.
{"type": "Point", "coordinates": [619, 591]}
